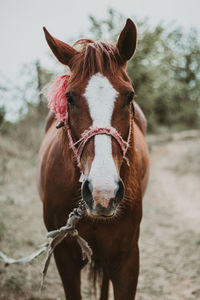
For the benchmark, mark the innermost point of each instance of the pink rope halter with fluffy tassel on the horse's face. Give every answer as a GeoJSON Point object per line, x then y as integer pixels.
{"type": "Point", "coordinates": [57, 102]}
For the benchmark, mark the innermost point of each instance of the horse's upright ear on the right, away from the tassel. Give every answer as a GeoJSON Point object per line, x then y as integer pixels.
{"type": "Point", "coordinates": [127, 41]}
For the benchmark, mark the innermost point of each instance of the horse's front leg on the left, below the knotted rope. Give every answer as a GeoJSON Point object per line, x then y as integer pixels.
{"type": "Point", "coordinates": [69, 269]}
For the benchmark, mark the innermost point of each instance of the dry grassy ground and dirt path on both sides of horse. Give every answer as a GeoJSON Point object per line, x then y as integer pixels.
{"type": "Point", "coordinates": [169, 243]}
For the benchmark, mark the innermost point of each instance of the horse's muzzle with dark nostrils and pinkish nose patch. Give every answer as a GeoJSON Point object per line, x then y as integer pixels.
{"type": "Point", "coordinates": [102, 203]}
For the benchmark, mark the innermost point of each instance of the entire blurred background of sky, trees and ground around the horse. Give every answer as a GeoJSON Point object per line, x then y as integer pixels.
{"type": "Point", "coordinates": [166, 75]}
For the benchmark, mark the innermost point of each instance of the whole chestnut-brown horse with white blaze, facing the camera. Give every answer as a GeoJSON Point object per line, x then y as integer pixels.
{"type": "Point", "coordinates": [114, 163]}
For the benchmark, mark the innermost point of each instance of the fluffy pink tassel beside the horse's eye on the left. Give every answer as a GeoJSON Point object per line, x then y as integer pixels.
{"type": "Point", "coordinates": [55, 94]}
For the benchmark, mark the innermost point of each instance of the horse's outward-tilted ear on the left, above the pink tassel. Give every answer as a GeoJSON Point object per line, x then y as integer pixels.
{"type": "Point", "coordinates": [61, 50]}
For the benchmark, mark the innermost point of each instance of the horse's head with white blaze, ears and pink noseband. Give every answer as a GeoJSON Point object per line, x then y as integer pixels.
{"type": "Point", "coordinates": [99, 94]}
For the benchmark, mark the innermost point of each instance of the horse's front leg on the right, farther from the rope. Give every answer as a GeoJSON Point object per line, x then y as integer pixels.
{"type": "Point", "coordinates": [125, 276]}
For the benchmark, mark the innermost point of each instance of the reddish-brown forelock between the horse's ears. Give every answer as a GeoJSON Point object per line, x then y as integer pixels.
{"type": "Point", "coordinates": [93, 57]}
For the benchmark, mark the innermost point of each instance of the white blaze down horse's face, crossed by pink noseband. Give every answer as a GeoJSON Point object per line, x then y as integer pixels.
{"type": "Point", "coordinates": [101, 97]}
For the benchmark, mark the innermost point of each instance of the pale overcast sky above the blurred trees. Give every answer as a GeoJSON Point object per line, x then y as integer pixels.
{"type": "Point", "coordinates": [21, 36]}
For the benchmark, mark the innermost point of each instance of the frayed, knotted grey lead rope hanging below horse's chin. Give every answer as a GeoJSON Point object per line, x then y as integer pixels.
{"type": "Point", "coordinates": [56, 236]}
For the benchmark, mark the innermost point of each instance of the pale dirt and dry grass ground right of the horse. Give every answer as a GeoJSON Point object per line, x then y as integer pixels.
{"type": "Point", "coordinates": [170, 240]}
